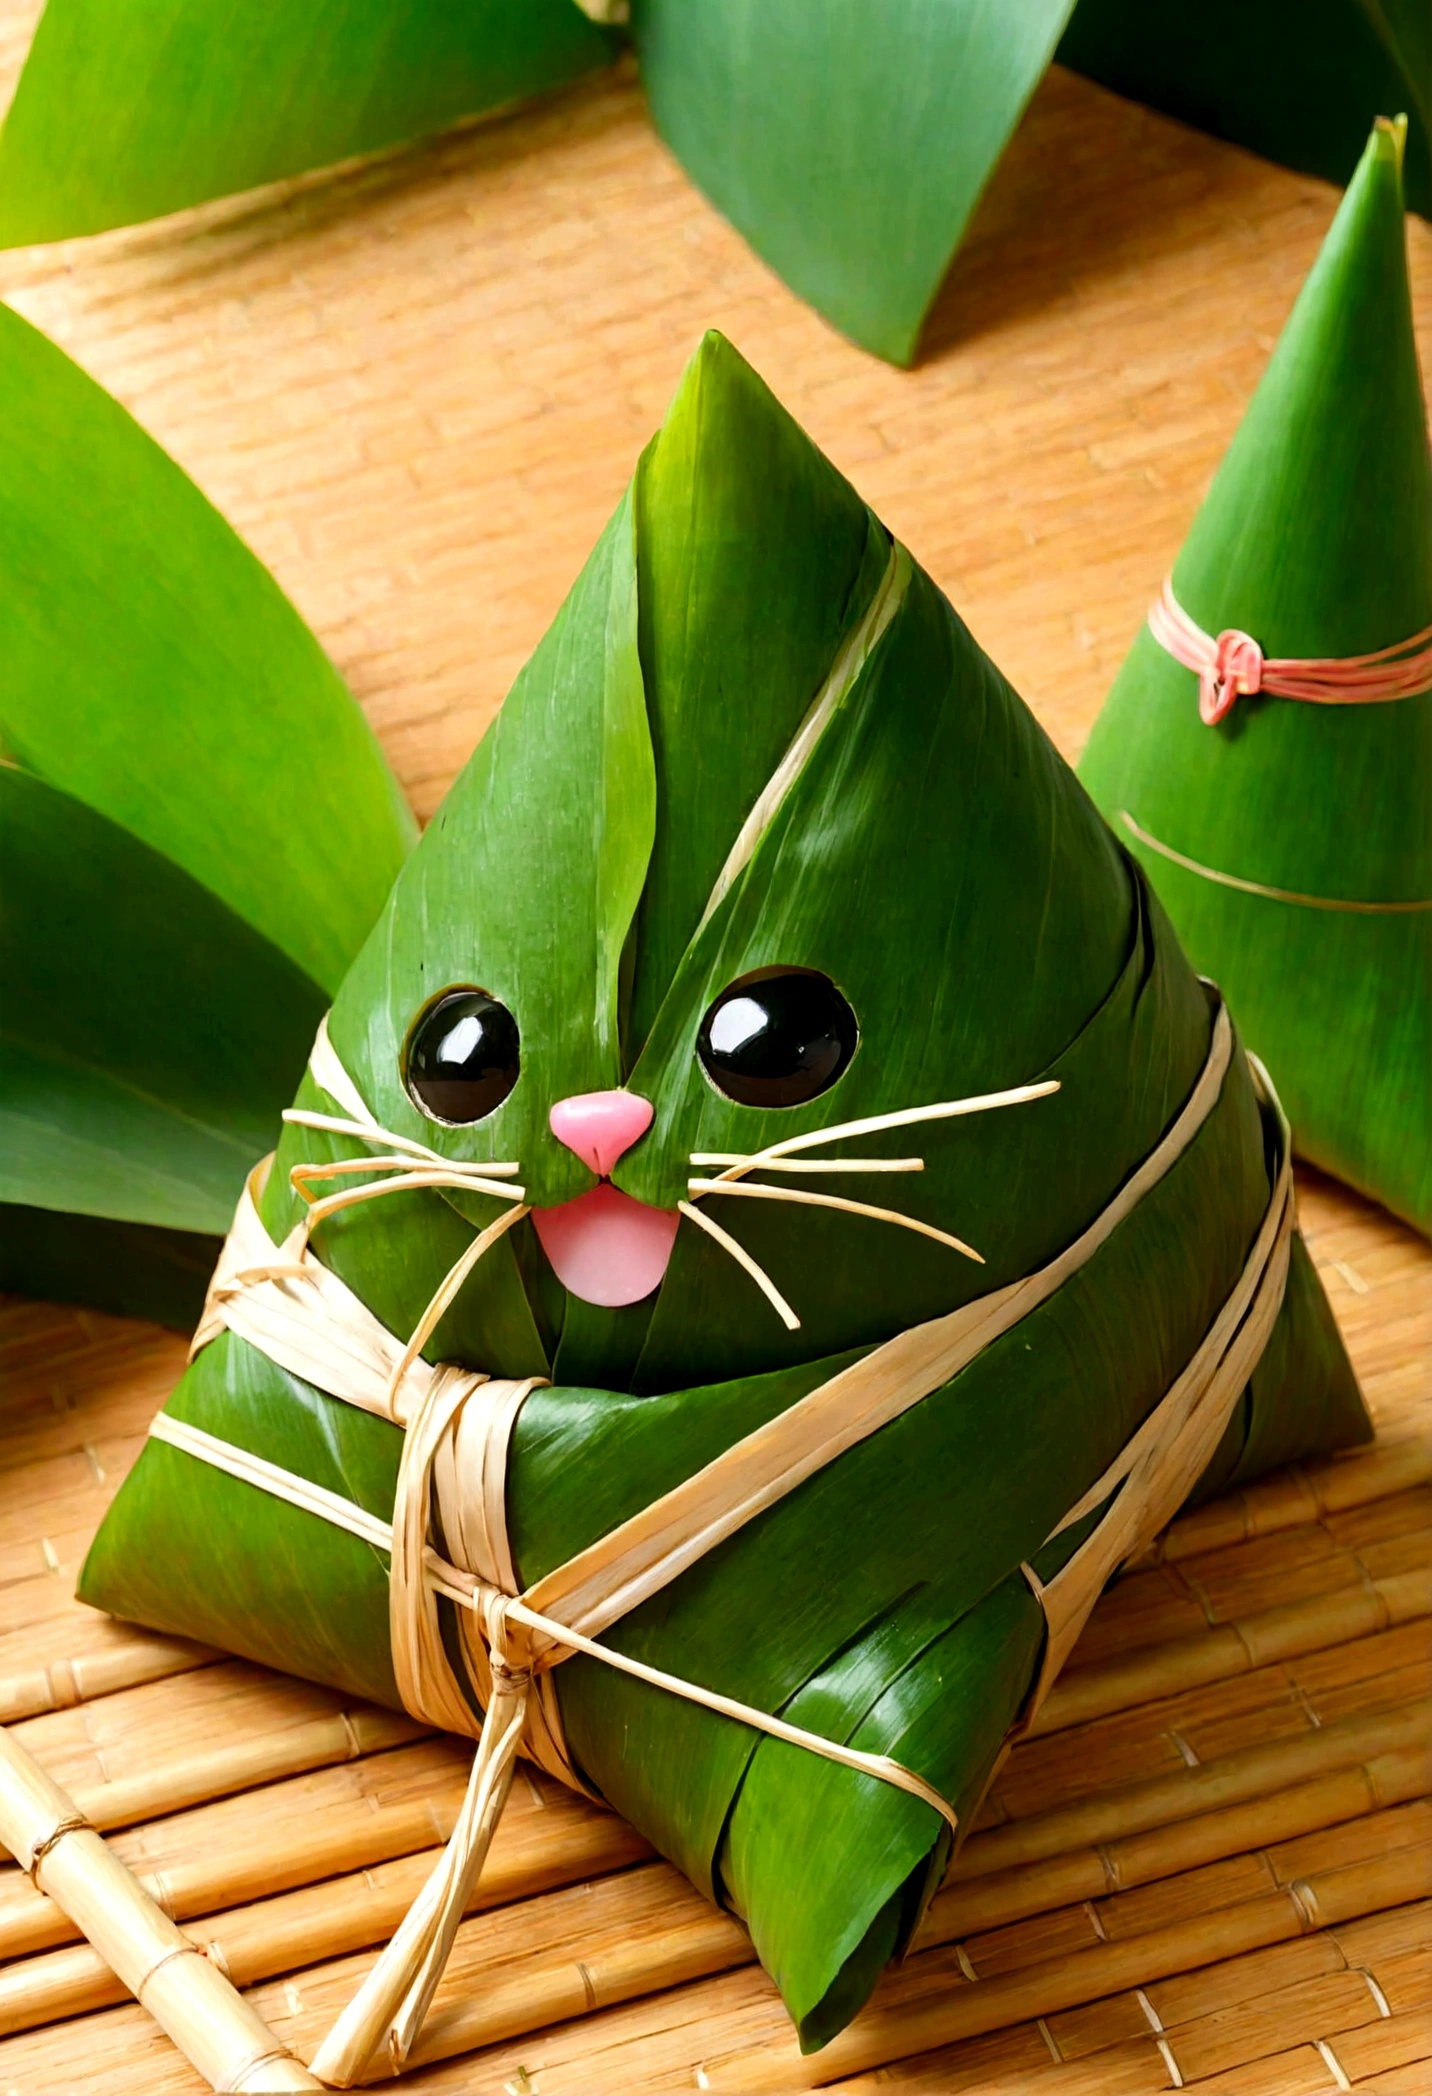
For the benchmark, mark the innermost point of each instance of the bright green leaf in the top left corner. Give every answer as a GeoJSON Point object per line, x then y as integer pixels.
{"type": "Point", "coordinates": [135, 108]}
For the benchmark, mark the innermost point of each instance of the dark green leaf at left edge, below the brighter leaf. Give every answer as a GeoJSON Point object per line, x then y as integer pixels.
{"type": "Point", "coordinates": [148, 1034]}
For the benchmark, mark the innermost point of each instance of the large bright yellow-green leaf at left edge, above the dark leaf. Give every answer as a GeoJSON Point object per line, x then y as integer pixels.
{"type": "Point", "coordinates": [156, 672]}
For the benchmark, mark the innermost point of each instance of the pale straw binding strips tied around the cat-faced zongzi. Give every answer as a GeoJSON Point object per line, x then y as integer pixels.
{"type": "Point", "coordinates": [452, 1483]}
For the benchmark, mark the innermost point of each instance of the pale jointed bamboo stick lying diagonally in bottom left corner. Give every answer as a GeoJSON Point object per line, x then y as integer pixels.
{"type": "Point", "coordinates": [188, 1996]}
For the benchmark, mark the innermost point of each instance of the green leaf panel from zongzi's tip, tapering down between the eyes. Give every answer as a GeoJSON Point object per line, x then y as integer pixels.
{"type": "Point", "coordinates": [800, 552]}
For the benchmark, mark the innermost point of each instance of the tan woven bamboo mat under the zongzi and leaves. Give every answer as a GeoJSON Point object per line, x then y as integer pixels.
{"type": "Point", "coordinates": [420, 391]}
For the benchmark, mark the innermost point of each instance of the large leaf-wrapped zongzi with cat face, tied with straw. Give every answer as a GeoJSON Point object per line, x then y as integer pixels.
{"type": "Point", "coordinates": [773, 1223]}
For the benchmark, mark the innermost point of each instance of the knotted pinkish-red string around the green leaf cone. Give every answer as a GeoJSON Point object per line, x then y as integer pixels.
{"type": "Point", "coordinates": [1236, 665]}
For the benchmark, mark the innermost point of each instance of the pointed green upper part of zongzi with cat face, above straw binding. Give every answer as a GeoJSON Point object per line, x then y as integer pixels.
{"type": "Point", "coordinates": [724, 879]}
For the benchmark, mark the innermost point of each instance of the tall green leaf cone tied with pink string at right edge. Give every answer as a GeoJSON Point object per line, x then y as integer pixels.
{"type": "Point", "coordinates": [1318, 542]}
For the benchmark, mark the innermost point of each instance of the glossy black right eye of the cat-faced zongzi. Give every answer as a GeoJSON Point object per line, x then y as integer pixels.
{"type": "Point", "coordinates": [777, 1039]}
